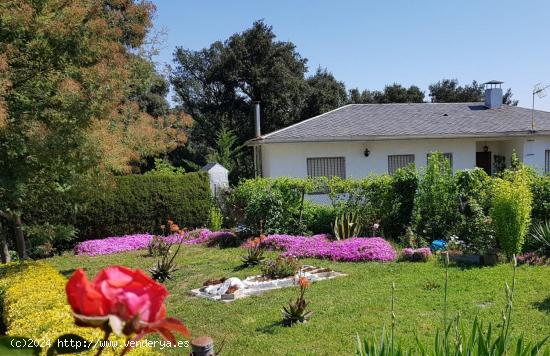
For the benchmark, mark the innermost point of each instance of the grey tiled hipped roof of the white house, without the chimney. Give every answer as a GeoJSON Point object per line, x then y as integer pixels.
{"type": "Point", "coordinates": [422, 120]}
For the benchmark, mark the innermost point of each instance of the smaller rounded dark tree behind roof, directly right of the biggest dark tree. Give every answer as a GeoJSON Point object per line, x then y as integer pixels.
{"type": "Point", "coordinates": [325, 93]}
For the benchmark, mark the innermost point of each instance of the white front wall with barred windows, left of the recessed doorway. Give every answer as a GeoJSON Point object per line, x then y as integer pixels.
{"type": "Point", "coordinates": [290, 159]}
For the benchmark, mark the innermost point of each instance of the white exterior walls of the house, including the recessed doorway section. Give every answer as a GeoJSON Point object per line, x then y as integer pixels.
{"type": "Point", "coordinates": [290, 159]}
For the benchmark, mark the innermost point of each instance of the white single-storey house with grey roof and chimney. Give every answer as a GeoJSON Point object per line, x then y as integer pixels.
{"type": "Point", "coordinates": [355, 140]}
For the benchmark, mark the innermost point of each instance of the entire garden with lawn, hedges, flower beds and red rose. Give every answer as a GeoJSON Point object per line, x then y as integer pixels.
{"type": "Point", "coordinates": [414, 262]}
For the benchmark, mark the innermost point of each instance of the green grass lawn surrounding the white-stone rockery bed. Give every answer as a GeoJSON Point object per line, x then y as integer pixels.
{"type": "Point", "coordinates": [343, 307]}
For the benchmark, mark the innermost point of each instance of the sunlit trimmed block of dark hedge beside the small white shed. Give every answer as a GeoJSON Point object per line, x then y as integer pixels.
{"type": "Point", "coordinates": [142, 203]}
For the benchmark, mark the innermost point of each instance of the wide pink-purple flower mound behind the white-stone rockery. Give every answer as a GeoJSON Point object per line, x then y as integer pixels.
{"type": "Point", "coordinates": [319, 246]}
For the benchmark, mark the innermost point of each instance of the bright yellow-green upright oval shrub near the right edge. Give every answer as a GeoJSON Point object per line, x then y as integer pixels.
{"type": "Point", "coordinates": [511, 211]}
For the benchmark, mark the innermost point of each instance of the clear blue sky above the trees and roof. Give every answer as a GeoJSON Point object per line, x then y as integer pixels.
{"type": "Point", "coordinates": [368, 44]}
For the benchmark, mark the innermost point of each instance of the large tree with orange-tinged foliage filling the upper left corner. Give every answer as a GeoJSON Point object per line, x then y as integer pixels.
{"type": "Point", "coordinates": [65, 80]}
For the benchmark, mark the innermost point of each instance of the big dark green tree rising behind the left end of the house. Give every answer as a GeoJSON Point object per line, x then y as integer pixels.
{"type": "Point", "coordinates": [218, 84]}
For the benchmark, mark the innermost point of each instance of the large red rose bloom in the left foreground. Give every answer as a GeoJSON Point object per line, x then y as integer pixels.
{"type": "Point", "coordinates": [135, 300]}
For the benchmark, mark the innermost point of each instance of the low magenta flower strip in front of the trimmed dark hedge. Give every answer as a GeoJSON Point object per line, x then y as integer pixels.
{"type": "Point", "coordinates": [118, 244]}
